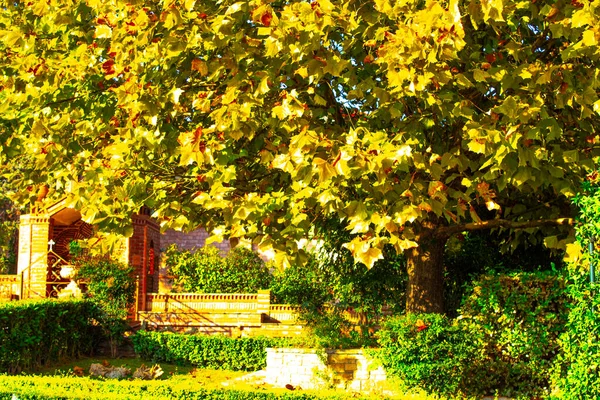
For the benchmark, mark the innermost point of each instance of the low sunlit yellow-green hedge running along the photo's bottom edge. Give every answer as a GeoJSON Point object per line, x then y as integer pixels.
{"type": "Point", "coordinates": [55, 388]}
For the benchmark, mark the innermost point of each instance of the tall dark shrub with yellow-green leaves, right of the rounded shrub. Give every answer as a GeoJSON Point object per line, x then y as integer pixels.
{"type": "Point", "coordinates": [521, 317]}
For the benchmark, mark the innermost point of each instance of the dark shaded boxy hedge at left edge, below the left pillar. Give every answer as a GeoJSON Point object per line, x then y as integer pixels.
{"type": "Point", "coordinates": [35, 333]}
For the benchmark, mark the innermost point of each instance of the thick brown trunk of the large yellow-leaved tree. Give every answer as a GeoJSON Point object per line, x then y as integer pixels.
{"type": "Point", "coordinates": [425, 264]}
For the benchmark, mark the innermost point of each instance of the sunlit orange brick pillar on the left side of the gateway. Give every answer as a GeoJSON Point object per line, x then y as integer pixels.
{"type": "Point", "coordinates": [32, 263]}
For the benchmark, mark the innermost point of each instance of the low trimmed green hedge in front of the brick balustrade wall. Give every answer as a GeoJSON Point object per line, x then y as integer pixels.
{"type": "Point", "coordinates": [213, 352]}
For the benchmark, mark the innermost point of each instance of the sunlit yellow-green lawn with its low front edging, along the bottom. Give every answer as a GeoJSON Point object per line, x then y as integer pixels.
{"type": "Point", "coordinates": [72, 380]}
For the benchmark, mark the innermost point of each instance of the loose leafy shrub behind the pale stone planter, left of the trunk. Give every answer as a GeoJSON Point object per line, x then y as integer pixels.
{"type": "Point", "coordinates": [330, 284]}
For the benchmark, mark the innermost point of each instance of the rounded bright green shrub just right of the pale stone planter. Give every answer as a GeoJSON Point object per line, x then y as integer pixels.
{"type": "Point", "coordinates": [431, 352]}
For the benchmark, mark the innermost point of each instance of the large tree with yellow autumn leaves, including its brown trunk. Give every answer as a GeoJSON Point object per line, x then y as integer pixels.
{"type": "Point", "coordinates": [411, 121]}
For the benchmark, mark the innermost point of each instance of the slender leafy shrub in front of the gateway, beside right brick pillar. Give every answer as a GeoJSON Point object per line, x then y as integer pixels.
{"type": "Point", "coordinates": [111, 286]}
